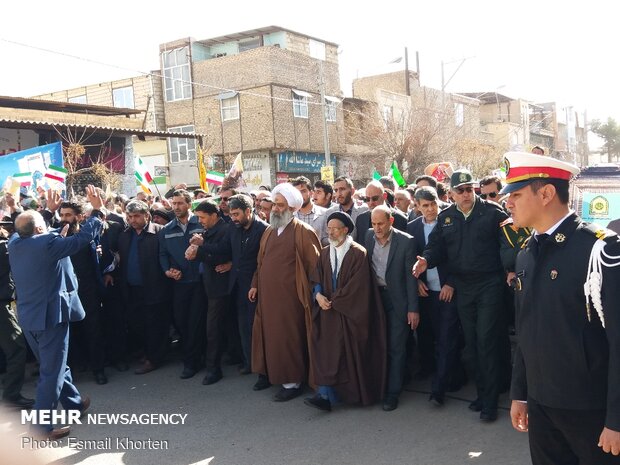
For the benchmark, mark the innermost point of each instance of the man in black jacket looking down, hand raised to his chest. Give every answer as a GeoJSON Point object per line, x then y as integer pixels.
{"type": "Point", "coordinates": [215, 276]}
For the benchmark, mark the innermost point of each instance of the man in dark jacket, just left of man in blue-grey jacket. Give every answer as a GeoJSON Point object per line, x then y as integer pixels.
{"type": "Point", "coordinates": [145, 289]}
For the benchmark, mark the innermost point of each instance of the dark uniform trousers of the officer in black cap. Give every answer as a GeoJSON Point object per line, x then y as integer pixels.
{"type": "Point", "coordinates": [480, 307]}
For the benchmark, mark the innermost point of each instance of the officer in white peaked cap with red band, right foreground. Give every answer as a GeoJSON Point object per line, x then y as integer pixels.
{"type": "Point", "coordinates": [566, 374]}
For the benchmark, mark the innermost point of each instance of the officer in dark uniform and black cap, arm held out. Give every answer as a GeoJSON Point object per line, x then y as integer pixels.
{"type": "Point", "coordinates": [467, 240]}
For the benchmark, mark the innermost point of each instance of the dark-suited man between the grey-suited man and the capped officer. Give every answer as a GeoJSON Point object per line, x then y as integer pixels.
{"type": "Point", "coordinates": [438, 332]}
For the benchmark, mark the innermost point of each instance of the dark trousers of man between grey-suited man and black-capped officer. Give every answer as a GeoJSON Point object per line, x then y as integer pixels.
{"type": "Point", "coordinates": [445, 325]}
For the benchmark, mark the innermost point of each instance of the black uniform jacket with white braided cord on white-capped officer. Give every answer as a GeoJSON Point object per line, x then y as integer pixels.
{"type": "Point", "coordinates": [562, 359]}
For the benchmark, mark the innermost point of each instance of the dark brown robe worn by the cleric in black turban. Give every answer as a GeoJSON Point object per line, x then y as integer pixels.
{"type": "Point", "coordinates": [349, 339]}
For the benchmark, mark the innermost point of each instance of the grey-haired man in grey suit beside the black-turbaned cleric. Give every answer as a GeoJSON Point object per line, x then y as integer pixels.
{"type": "Point", "coordinates": [391, 254]}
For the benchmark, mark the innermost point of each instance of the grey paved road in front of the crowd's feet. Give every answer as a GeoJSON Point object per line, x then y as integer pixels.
{"type": "Point", "coordinates": [229, 424]}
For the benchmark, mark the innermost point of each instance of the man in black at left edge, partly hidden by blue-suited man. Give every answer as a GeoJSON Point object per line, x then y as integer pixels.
{"type": "Point", "coordinates": [12, 341]}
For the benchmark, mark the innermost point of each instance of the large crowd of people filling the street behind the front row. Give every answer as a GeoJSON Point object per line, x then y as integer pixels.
{"type": "Point", "coordinates": [351, 292]}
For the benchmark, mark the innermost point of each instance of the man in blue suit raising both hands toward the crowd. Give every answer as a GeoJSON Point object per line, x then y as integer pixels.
{"type": "Point", "coordinates": [46, 306]}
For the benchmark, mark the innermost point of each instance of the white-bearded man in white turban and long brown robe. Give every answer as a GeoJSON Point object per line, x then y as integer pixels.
{"type": "Point", "coordinates": [289, 252]}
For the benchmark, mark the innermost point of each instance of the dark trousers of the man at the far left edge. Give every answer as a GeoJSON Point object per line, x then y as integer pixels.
{"type": "Point", "coordinates": [13, 344]}
